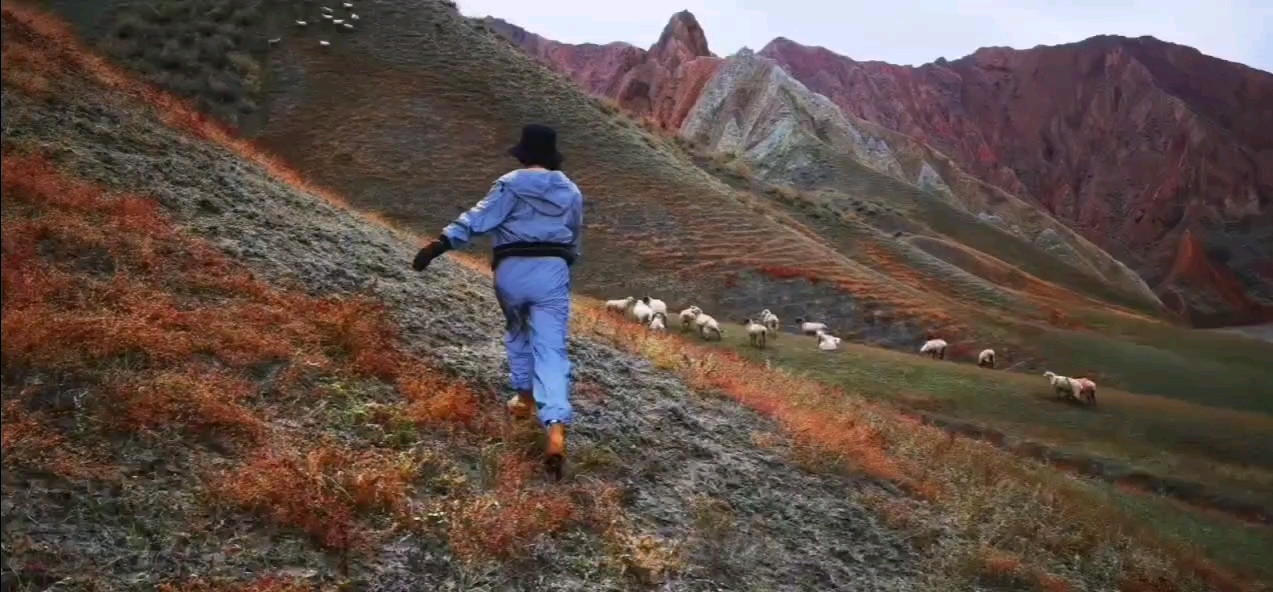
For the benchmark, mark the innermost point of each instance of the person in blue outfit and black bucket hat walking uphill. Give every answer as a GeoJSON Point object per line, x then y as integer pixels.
{"type": "Point", "coordinates": [537, 216]}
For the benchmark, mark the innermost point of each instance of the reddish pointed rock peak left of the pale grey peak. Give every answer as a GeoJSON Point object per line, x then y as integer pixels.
{"type": "Point", "coordinates": [661, 83]}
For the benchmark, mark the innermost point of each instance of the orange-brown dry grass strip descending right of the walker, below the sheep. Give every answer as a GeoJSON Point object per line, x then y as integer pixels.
{"type": "Point", "coordinates": [1016, 520]}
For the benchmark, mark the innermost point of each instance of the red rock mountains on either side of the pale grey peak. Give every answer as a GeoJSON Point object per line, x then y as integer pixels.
{"type": "Point", "coordinates": [1157, 153]}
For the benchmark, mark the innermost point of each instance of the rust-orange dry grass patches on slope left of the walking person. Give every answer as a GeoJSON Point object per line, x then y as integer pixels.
{"type": "Point", "coordinates": [165, 338]}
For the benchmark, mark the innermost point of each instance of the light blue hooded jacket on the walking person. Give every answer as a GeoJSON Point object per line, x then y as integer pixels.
{"type": "Point", "coordinates": [525, 206]}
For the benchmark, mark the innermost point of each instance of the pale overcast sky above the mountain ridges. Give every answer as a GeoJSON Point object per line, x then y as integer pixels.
{"type": "Point", "coordinates": [907, 32]}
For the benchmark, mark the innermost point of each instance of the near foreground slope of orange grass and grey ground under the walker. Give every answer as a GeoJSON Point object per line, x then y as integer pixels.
{"type": "Point", "coordinates": [218, 377]}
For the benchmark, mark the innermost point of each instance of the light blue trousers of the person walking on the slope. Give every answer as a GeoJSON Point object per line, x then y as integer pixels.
{"type": "Point", "coordinates": [535, 296]}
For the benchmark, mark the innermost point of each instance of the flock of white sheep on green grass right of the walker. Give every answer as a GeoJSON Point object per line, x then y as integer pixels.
{"type": "Point", "coordinates": [652, 314]}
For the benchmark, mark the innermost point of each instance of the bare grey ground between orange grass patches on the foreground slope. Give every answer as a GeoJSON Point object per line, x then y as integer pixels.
{"type": "Point", "coordinates": [792, 530]}
